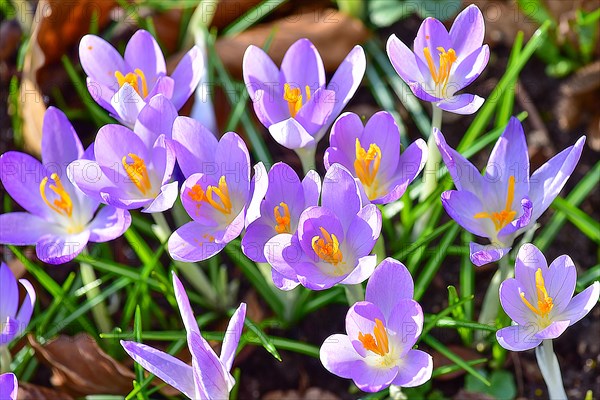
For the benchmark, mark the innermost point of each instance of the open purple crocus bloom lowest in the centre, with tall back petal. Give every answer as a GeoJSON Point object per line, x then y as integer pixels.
{"type": "Point", "coordinates": [381, 332]}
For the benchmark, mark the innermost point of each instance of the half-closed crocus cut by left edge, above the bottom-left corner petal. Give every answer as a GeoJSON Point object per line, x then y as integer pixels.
{"type": "Point", "coordinates": [13, 322]}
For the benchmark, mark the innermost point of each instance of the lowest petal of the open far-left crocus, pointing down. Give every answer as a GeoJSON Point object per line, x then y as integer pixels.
{"type": "Point", "coordinates": [55, 249]}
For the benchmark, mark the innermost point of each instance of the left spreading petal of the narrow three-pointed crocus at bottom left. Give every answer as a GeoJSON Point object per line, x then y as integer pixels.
{"type": "Point", "coordinates": [168, 368]}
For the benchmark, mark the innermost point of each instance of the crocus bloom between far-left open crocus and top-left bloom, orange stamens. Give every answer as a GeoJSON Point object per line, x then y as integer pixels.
{"type": "Point", "coordinates": [132, 169]}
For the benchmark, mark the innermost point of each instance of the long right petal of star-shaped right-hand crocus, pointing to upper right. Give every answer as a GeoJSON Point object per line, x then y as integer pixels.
{"type": "Point", "coordinates": [548, 180]}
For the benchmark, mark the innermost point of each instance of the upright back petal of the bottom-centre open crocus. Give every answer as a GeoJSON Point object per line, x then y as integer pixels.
{"type": "Point", "coordinates": [390, 276]}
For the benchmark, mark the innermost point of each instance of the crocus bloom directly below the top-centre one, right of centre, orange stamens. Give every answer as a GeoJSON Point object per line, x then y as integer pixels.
{"type": "Point", "coordinates": [372, 152]}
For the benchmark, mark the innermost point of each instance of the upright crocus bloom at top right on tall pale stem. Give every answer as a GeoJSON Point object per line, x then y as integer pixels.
{"type": "Point", "coordinates": [444, 63]}
